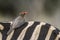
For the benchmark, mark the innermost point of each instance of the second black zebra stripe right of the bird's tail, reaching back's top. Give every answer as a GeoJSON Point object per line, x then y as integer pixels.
{"type": "Point", "coordinates": [30, 31]}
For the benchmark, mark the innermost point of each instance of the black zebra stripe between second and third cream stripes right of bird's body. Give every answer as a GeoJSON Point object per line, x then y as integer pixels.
{"type": "Point", "coordinates": [44, 29]}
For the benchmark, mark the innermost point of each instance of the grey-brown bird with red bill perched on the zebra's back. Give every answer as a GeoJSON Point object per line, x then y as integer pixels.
{"type": "Point", "coordinates": [17, 22]}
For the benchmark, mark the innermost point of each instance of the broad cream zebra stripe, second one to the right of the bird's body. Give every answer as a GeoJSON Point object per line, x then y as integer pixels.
{"type": "Point", "coordinates": [36, 31]}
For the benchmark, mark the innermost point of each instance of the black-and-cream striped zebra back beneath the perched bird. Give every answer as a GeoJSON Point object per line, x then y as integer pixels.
{"type": "Point", "coordinates": [31, 30]}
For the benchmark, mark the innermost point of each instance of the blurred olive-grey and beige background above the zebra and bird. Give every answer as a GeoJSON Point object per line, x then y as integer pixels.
{"type": "Point", "coordinates": [39, 10]}
